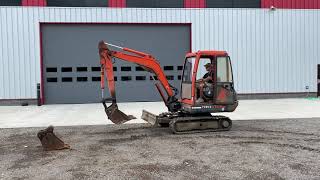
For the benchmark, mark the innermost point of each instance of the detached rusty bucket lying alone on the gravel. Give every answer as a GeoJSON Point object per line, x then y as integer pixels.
{"type": "Point", "coordinates": [50, 141]}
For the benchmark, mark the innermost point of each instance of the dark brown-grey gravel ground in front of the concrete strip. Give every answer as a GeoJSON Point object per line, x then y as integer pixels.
{"type": "Point", "coordinates": [264, 149]}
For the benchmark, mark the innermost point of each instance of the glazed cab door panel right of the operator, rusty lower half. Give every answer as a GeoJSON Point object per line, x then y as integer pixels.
{"type": "Point", "coordinates": [224, 87]}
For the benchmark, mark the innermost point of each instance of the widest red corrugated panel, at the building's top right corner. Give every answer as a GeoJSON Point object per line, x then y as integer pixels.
{"type": "Point", "coordinates": [291, 4]}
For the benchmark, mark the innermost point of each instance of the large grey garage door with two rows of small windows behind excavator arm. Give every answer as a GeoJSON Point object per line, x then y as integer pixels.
{"type": "Point", "coordinates": [71, 61]}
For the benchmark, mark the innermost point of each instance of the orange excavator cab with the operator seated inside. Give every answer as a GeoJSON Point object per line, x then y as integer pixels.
{"type": "Point", "coordinates": [207, 84]}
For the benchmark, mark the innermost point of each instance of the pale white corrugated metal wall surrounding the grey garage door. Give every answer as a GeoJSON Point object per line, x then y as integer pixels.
{"type": "Point", "coordinates": [272, 51]}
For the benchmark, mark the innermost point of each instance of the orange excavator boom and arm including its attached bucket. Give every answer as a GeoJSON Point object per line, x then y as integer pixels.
{"type": "Point", "coordinates": [147, 62]}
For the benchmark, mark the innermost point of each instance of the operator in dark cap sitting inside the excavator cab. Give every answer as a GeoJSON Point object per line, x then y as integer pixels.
{"type": "Point", "coordinates": [207, 78]}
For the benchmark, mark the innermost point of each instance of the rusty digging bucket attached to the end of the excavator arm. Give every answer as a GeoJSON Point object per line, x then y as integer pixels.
{"type": "Point", "coordinates": [115, 115]}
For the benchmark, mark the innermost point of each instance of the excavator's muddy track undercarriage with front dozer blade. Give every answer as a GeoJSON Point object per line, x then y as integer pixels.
{"type": "Point", "coordinates": [186, 123]}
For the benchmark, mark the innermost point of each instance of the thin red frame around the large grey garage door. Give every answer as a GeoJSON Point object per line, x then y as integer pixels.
{"type": "Point", "coordinates": [42, 99]}
